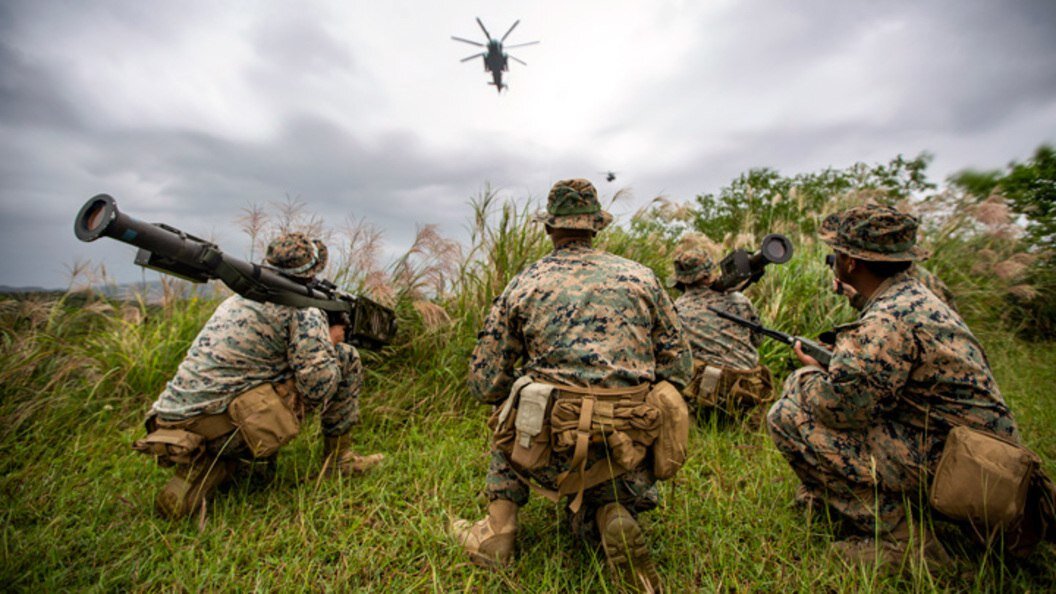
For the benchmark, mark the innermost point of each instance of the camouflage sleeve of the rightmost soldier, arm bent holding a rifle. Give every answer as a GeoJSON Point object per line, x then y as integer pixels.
{"type": "Point", "coordinates": [871, 365]}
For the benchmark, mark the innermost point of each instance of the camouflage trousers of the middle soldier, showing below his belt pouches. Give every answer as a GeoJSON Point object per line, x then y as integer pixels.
{"type": "Point", "coordinates": [635, 490]}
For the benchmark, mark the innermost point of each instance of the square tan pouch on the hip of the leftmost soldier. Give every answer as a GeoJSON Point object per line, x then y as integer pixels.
{"type": "Point", "coordinates": [263, 420]}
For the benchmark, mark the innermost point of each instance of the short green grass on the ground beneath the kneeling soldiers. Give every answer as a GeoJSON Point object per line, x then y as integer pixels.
{"type": "Point", "coordinates": [79, 514]}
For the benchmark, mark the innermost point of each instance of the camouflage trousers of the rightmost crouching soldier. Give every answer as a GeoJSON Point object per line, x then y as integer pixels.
{"type": "Point", "coordinates": [866, 475]}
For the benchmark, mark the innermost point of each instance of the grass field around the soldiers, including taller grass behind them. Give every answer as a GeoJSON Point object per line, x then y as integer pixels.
{"type": "Point", "coordinates": [78, 504]}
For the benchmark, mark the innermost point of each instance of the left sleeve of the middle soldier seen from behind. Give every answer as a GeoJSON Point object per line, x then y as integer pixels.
{"type": "Point", "coordinates": [499, 347]}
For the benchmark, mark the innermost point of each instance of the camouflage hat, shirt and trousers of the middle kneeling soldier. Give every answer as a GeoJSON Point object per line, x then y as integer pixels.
{"type": "Point", "coordinates": [579, 318]}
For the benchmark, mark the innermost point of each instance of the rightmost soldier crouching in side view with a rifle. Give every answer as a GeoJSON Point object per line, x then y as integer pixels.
{"type": "Point", "coordinates": [908, 417]}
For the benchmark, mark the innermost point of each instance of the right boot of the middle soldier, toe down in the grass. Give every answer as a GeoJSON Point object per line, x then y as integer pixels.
{"type": "Point", "coordinates": [626, 550]}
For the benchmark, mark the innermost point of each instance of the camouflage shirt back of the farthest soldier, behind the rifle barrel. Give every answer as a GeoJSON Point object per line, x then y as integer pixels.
{"type": "Point", "coordinates": [715, 341]}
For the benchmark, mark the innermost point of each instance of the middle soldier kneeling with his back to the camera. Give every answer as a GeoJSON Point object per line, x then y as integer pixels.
{"type": "Point", "coordinates": [583, 358]}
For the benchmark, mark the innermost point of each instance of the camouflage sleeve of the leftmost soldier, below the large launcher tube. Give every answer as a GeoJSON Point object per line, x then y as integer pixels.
{"type": "Point", "coordinates": [312, 356]}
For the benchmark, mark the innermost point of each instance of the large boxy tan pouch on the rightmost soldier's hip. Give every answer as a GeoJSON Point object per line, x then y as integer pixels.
{"type": "Point", "coordinates": [983, 479]}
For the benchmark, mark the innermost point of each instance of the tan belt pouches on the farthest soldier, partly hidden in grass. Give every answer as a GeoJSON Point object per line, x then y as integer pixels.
{"type": "Point", "coordinates": [729, 389]}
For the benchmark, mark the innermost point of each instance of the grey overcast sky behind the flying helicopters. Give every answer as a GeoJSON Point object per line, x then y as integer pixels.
{"type": "Point", "coordinates": [190, 112]}
